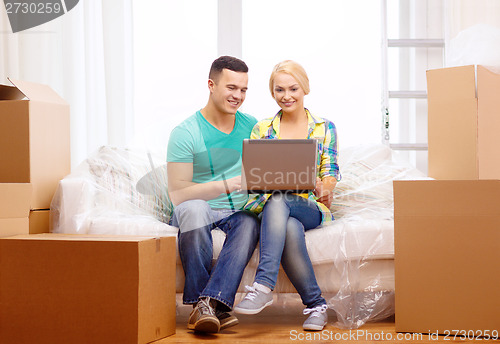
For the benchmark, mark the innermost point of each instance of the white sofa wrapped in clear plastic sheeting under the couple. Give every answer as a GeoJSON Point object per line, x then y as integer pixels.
{"type": "Point", "coordinates": [120, 191]}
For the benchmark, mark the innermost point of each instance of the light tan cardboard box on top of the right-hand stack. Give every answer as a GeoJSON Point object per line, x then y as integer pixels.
{"type": "Point", "coordinates": [464, 122]}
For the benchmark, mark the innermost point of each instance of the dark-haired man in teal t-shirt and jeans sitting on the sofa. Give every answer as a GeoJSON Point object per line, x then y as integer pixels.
{"type": "Point", "coordinates": [204, 182]}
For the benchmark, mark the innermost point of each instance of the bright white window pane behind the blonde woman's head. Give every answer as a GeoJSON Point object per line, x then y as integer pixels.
{"type": "Point", "coordinates": [338, 44]}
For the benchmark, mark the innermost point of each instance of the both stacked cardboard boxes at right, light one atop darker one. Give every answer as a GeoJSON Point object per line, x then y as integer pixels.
{"type": "Point", "coordinates": [447, 230]}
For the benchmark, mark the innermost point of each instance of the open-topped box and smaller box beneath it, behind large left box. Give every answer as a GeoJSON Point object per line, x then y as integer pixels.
{"type": "Point", "coordinates": [34, 155]}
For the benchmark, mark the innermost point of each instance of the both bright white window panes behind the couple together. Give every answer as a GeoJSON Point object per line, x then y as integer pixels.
{"type": "Point", "coordinates": [337, 42]}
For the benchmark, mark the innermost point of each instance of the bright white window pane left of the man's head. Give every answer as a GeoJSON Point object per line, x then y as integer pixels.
{"type": "Point", "coordinates": [175, 43]}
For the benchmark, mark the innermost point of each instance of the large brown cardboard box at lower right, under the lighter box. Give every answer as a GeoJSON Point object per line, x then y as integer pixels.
{"type": "Point", "coordinates": [447, 256]}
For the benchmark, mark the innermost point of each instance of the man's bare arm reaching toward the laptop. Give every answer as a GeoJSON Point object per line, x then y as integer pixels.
{"type": "Point", "coordinates": [181, 187]}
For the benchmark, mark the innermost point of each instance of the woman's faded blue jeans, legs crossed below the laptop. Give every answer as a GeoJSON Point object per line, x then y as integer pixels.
{"type": "Point", "coordinates": [285, 219]}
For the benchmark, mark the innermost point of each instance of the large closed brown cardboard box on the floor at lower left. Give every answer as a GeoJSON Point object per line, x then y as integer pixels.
{"type": "Point", "coordinates": [57, 288]}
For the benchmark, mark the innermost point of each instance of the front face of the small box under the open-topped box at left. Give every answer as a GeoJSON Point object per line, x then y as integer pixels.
{"type": "Point", "coordinates": [14, 208]}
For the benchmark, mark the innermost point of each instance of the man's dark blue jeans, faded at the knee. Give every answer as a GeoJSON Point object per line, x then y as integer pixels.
{"type": "Point", "coordinates": [196, 220]}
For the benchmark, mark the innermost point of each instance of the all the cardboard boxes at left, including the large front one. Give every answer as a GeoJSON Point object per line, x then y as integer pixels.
{"type": "Point", "coordinates": [57, 288]}
